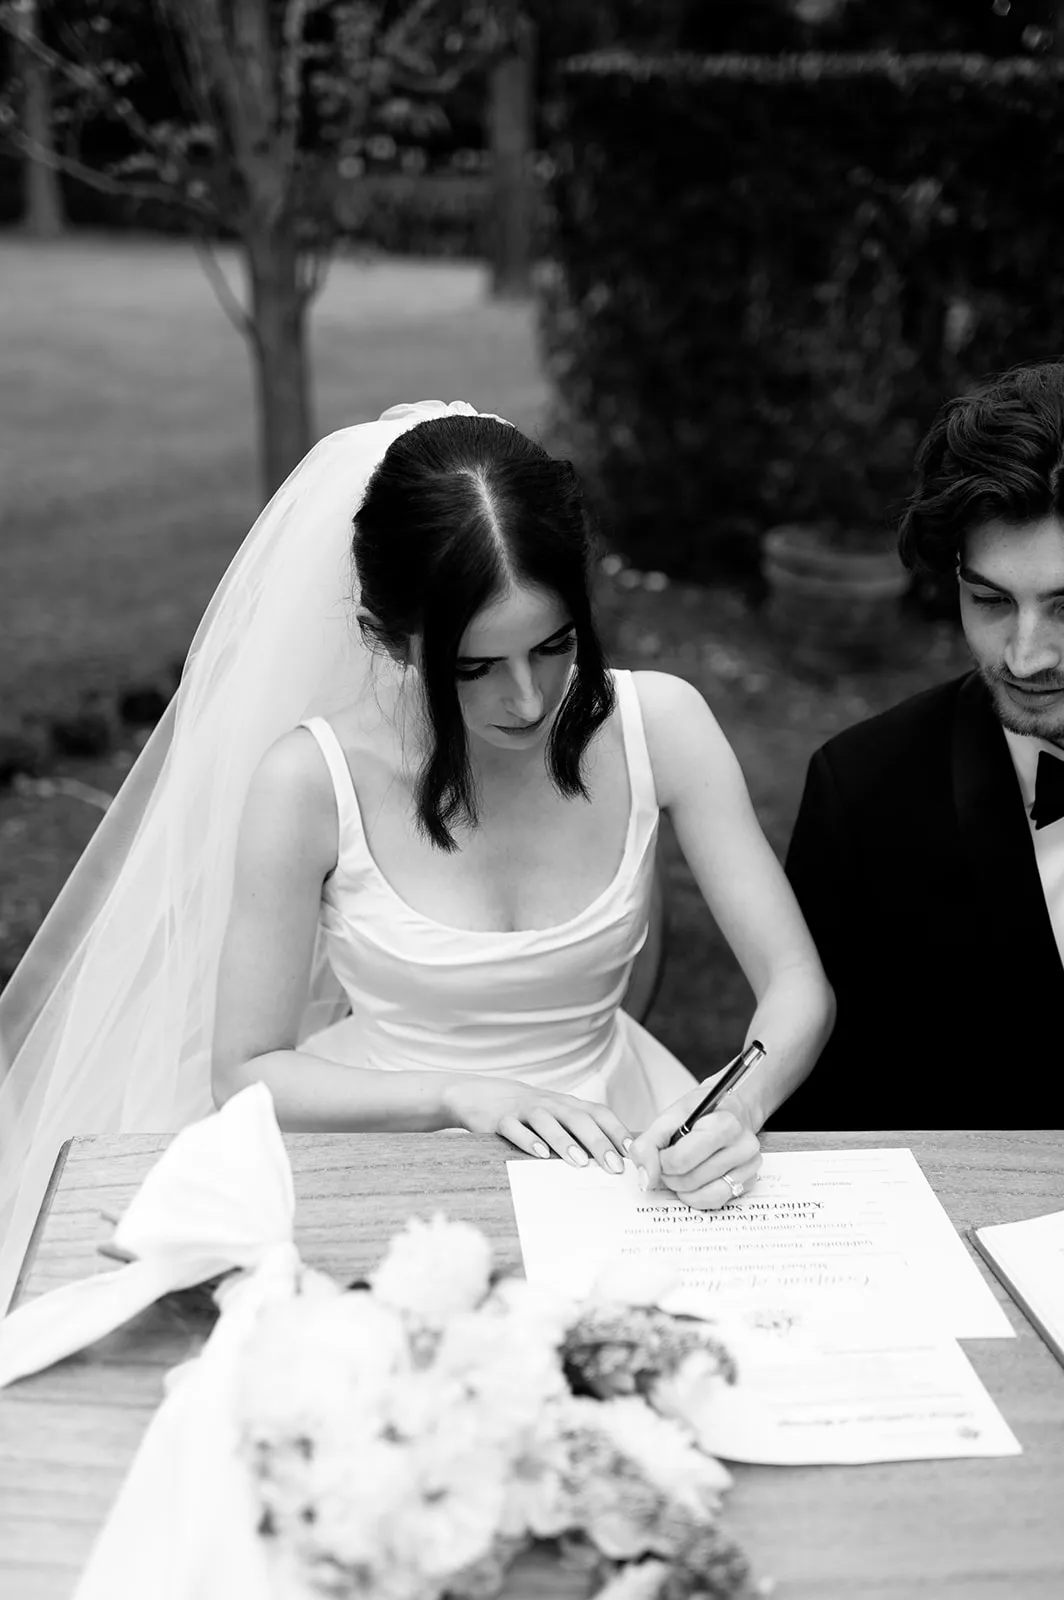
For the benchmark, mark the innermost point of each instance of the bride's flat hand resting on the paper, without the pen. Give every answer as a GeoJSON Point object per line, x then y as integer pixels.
{"type": "Point", "coordinates": [540, 1121]}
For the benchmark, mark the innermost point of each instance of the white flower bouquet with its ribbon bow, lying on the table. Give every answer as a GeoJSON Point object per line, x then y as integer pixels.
{"type": "Point", "coordinates": [412, 1438]}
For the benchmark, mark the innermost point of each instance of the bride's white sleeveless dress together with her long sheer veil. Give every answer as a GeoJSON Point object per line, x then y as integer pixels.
{"type": "Point", "coordinates": [108, 1023]}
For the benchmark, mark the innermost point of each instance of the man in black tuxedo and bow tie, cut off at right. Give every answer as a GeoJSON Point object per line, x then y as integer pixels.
{"type": "Point", "coordinates": [929, 852]}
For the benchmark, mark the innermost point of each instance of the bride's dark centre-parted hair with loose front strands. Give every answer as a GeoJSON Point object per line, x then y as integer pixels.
{"type": "Point", "coordinates": [460, 511]}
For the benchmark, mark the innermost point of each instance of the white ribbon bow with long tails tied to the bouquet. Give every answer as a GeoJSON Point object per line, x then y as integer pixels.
{"type": "Point", "coordinates": [220, 1198]}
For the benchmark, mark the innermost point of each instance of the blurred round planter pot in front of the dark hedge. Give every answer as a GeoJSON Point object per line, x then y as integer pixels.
{"type": "Point", "coordinates": [833, 606]}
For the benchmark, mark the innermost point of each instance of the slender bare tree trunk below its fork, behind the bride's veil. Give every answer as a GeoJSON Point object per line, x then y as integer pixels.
{"type": "Point", "coordinates": [281, 356]}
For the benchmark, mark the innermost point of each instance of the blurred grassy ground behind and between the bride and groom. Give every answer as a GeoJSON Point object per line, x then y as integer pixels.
{"type": "Point", "coordinates": [127, 470]}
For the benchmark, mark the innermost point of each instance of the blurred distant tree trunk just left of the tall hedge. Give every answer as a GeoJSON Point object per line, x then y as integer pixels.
{"type": "Point", "coordinates": [513, 135]}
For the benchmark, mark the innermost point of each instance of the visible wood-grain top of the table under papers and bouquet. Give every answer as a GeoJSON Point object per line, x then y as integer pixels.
{"type": "Point", "coordinates": [983, 1530]}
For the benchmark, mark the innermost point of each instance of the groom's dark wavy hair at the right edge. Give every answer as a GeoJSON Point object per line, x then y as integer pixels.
{"type": "Point", "coordinates": [994, 454]}
